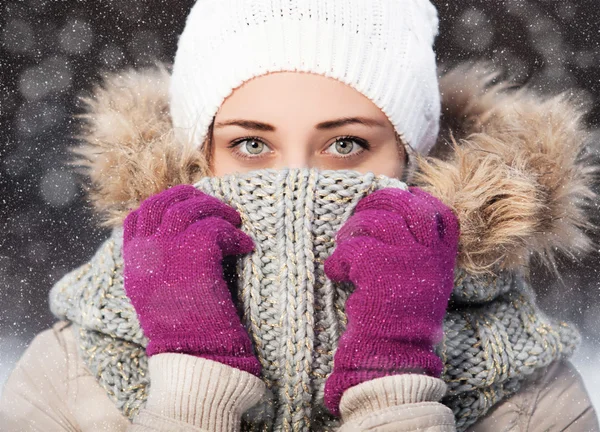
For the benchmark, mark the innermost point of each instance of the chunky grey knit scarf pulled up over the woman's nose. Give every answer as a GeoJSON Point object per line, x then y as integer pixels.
{"type": "Point", "coordinates": [495, 336]}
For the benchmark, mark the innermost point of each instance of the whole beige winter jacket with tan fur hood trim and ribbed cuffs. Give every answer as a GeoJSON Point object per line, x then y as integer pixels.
{"type": "Point", "coordinates": [131, 157]}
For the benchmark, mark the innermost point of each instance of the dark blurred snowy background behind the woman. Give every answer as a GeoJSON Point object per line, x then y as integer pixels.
{"type": "Point", "coordinates": [52, 52]}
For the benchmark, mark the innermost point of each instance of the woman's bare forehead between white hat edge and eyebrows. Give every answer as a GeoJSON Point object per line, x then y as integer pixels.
{"type": "Point", "coordinates": [297, 94]}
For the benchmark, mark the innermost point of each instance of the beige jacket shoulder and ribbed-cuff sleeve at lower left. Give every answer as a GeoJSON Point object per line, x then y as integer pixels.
{"type": "Point", "coordinates": [50, 389]}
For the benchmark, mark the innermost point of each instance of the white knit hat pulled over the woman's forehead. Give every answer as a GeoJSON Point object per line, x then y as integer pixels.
{"type": "Point", "coordinates": [382, 48]}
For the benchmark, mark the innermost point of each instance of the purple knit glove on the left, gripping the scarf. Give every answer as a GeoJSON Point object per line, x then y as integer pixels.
{"type": "Point", "coordinates": [173, 246]}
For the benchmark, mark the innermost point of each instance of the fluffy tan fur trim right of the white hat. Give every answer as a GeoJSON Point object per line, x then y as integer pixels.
{"type": "Point", "coordinates": [518, 180]}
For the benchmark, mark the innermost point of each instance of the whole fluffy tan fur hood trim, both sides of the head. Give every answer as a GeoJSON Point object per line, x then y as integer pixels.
{"type": "Point", "coordinates": [510, 163]}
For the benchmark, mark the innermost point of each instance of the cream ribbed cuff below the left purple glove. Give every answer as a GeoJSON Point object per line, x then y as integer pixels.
{"type": "Point", "coordinates": [201, 392]}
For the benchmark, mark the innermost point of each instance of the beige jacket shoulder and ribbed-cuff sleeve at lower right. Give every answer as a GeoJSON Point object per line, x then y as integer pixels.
{"type": "Point", "coordinates": [554, 399]}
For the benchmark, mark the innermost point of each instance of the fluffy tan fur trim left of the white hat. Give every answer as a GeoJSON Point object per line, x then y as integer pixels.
{"type": "Point", "coordinates": [130, 151]}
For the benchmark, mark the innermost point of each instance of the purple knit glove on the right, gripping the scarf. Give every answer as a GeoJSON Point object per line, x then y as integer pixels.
{"type": "Point", "coordinates": [399, 250]}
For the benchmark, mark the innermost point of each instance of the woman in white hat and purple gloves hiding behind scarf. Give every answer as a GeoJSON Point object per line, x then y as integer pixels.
{"type": "Point", "coordinates": [150, 338]}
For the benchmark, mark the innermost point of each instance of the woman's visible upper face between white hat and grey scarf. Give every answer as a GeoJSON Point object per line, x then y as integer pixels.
{"type": "Point", "coordinates": [298, 120]}
